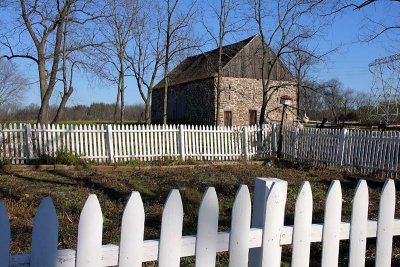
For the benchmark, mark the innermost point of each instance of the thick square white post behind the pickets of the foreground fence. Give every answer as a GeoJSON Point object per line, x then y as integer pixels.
{"type": "Point", "coordinates": [262, 187]}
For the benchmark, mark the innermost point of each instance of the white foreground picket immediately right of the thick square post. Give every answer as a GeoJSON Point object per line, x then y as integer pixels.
{"type": "Point", "coordinates": [302, 227]}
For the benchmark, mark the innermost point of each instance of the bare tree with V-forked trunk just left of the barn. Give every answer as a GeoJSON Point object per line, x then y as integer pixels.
{"type": "Point", "coordinates": [147, 53]}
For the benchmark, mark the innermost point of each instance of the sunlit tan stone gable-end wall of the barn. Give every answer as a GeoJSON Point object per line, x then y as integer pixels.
{"type": "Point", "coordinates": [240, 95]}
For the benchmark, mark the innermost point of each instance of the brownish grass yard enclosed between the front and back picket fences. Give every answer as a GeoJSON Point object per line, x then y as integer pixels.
{"type": "Point", "coordinates": [22, 191]}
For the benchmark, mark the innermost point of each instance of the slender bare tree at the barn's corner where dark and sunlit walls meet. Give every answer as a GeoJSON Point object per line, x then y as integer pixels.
{"type": "Point", "coordinates": [224, 14]}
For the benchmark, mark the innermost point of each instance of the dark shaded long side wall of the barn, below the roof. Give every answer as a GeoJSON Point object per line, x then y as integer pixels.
{"type": "Point", "coordinates": [190, 103]}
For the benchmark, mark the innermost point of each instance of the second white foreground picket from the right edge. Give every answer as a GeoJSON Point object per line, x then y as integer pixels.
{"type": "Point", "coordinates": [358, 227]}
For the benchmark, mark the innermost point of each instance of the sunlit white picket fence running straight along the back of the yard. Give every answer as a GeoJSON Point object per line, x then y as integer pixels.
{"type": "Point", "coordinates": [21, 143]}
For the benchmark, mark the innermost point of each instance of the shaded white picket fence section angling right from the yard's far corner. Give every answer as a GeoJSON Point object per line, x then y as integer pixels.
{"type": "Point", "coordinates": [353, 150]}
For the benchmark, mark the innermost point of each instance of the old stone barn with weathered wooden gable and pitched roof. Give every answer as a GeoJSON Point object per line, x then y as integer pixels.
{"type": "Point", "coordinates": [192, 97]}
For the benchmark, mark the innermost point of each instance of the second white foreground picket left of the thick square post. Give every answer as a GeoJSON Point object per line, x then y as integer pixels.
{"type": "Point", "coordinates": [207, 229]}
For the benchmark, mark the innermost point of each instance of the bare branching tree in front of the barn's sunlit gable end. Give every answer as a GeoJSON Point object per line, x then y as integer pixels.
{"type": "Point", "coordinates": [280, 25]}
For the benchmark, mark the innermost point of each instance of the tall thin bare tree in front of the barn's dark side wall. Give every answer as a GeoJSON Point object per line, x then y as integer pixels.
{"type": "Point", "coordinates": [177, 29]}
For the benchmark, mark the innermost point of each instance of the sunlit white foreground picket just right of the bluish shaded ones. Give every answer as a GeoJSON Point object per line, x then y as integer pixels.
{"type": "Point", "coordinates": [90, 228]}
